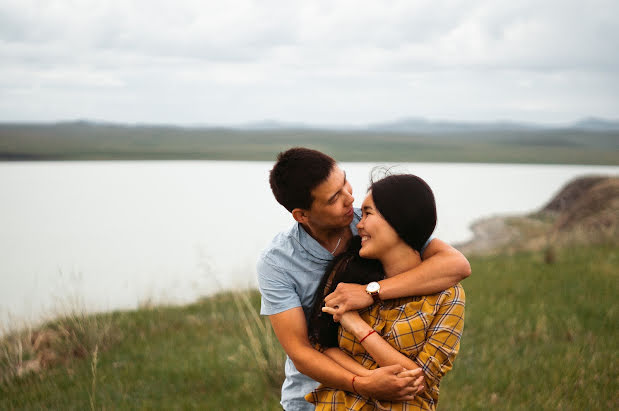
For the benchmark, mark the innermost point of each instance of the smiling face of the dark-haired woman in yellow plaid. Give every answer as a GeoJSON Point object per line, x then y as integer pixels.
{"type": "Point", "coordinates": [377, 236]}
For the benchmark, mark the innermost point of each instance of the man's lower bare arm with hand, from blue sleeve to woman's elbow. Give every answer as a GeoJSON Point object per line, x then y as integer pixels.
{"type": "Point", "coordinates": [384, 383]}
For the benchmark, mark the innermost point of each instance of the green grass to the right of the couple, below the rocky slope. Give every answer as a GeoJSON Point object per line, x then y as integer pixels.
{"type": "Point", "coordinates": [539, 336]}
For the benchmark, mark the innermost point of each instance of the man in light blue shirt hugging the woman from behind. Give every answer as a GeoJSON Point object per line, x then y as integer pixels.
{"type": "Point", "coordinates": [314, 189]}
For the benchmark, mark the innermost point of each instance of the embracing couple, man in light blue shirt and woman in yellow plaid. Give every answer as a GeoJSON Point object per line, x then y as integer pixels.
{"type": "Point", "coordinates": [366, 304]}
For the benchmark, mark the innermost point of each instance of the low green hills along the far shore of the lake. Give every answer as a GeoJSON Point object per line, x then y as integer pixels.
{"type": "Point", "coordinates": [590, 141]}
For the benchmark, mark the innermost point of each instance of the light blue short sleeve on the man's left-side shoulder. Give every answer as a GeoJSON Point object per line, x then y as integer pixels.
{"type": "Point", "coordinates": [277, 289]}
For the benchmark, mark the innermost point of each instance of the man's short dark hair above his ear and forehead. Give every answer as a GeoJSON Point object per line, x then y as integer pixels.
{"type": "Point", "coordinates": [296, 173]}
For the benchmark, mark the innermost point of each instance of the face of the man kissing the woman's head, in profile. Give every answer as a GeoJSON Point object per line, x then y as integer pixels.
{"type": "Point", "coordinates": [332, 206]}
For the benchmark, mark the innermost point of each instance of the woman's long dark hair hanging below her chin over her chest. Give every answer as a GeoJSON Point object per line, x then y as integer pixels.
{"type": "Point", "coordinates": [347, 267]}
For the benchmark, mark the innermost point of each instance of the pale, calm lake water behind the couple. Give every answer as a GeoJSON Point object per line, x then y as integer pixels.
{"type": "Point", "coordinates": [107, 235]}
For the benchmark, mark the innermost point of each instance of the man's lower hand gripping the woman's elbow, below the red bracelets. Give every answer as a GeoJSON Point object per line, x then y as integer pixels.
{"type": "Point", "coordinates": [392, 383]}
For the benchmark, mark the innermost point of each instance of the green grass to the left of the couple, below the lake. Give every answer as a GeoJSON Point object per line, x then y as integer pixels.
{"type": "Point", "coordinates": [191, 357]}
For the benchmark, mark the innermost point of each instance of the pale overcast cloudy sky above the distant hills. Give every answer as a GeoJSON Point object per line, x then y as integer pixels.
{"type": "Point", "coordinates": [318, 62]}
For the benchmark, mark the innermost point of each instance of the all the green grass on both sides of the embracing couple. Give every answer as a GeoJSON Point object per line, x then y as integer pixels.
{"type": "Point", "coordinates": [537, 336]}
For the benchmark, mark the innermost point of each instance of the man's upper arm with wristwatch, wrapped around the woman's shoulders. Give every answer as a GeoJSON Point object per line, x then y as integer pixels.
{"type": "Point", "coordinates": [442, 267]}
